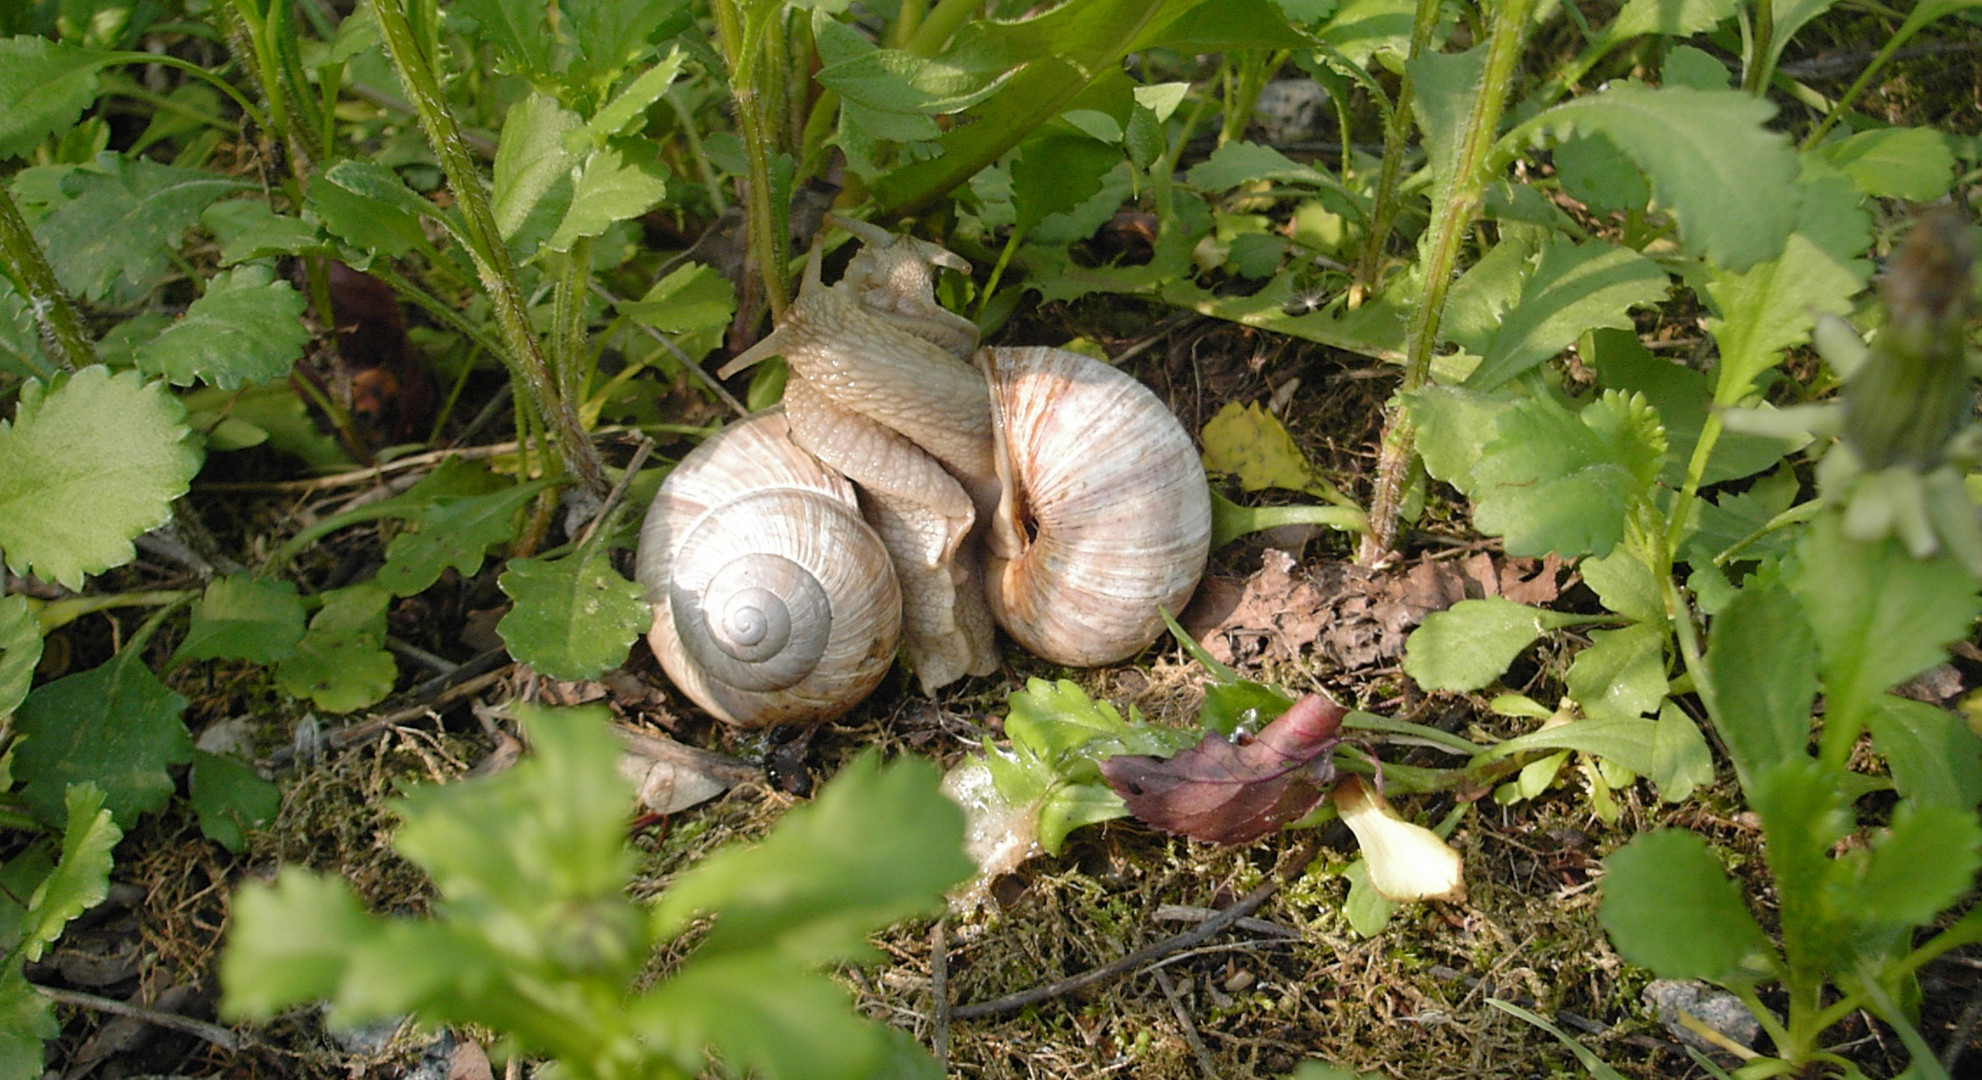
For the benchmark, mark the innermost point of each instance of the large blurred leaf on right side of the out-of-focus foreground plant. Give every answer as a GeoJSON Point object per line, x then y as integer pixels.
{"type": "Point", "coordinates": [879, 845]}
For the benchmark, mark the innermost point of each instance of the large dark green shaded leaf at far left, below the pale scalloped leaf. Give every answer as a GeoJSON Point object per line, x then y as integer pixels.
{"type": "Point", "coordinates": [114, 726]}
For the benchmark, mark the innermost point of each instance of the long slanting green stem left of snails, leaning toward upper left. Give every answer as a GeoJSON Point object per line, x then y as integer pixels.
{"type": "Point", "coordinates": [524, 352]}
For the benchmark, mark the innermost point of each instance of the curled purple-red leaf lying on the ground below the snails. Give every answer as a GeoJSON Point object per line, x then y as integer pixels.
{"type": "Point", "coordinates": [1236, 794]}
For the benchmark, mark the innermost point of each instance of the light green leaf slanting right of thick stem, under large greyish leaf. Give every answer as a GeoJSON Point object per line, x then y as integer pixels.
{"type": "Point", "coordinates": [1575, 288]}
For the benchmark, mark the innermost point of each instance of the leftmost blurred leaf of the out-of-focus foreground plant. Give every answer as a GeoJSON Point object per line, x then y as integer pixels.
{"type": "Point", "coordinates": [290, 942]}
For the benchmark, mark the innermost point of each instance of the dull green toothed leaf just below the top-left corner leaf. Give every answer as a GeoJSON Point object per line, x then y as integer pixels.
{"type": "Point", "coordinates": [124, 221]}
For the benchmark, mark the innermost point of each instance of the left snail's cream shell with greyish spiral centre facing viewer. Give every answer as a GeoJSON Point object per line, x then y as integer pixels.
{"type": "Point", "coordinates": [774, 601]}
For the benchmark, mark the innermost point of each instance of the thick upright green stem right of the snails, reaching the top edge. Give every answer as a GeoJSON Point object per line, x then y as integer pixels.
{"type": "Point", "coordinates": [1450, 227]}
